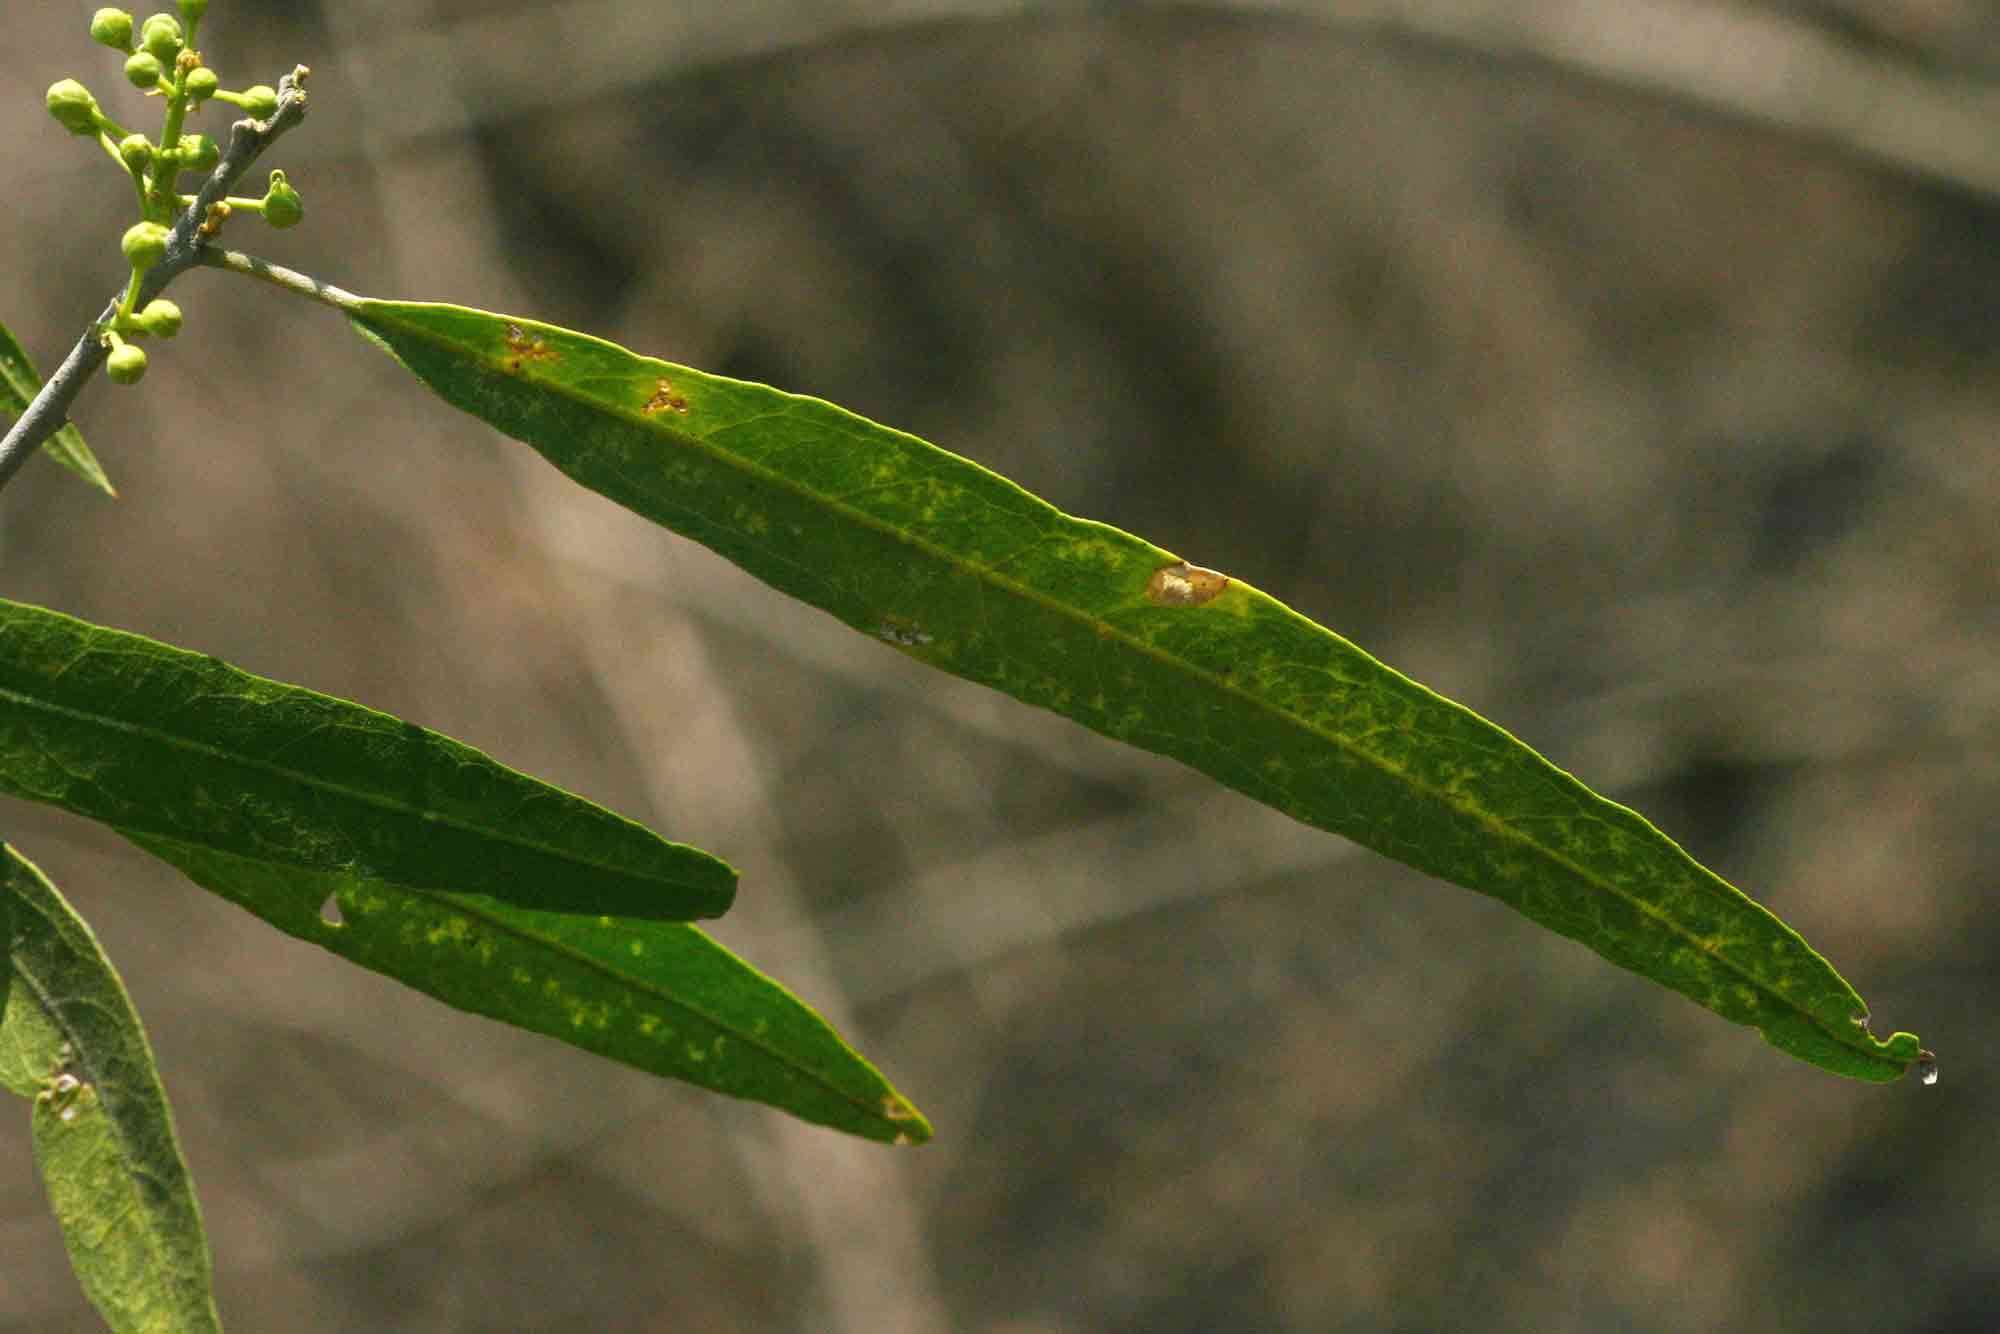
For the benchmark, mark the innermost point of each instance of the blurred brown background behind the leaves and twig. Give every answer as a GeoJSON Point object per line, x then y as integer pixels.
{"type": "Point", "coordinates": [1625, 371]}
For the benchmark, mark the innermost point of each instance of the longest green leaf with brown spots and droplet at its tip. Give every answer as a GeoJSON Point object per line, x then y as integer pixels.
{"type": "Point", "coordinates": [965, 571]}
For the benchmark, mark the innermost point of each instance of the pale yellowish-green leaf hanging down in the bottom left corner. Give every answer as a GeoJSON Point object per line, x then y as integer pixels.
{"type": "Point", "coordinates": [103, 1133]}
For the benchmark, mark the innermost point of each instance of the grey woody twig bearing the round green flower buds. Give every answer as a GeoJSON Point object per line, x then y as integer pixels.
{"type": "Point", "coordinates": [185, 245]}
